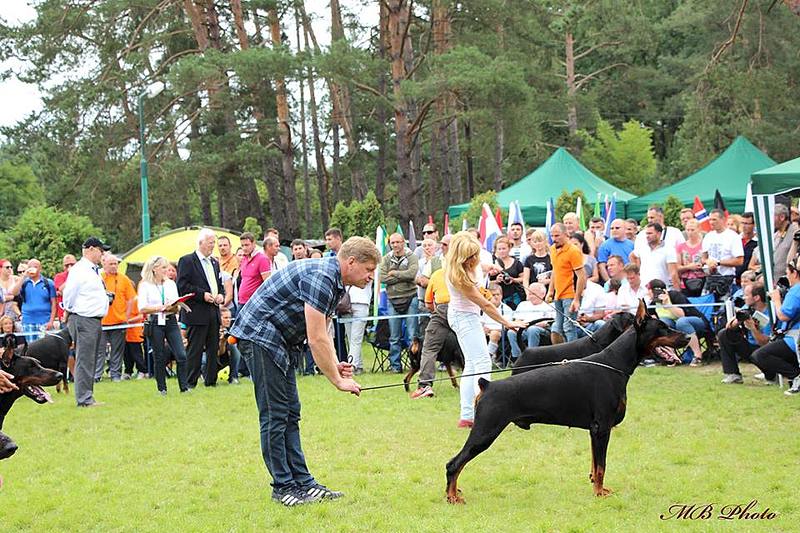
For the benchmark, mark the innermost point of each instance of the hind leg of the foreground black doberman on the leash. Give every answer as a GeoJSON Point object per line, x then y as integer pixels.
{"type": "Point", "coordinates": [489, 423]}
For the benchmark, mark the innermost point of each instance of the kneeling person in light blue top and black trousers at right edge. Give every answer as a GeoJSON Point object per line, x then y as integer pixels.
{"type": "Point", "coordinates": [779, 356]}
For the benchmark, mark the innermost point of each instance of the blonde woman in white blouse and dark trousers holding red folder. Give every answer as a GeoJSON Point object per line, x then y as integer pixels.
{"type": "Point", "coordinates": [157, 295]}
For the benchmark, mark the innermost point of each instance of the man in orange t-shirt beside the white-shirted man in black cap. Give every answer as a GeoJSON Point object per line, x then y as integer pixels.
{"type": "Point", "coordinates": [119, 311]}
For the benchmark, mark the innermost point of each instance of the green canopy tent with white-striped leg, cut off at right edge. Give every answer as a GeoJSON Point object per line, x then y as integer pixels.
{"type": "Point", "coordinates": [766, 184]}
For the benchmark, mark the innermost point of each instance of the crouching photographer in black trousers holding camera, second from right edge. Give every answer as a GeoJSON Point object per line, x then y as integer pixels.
{"type": "Point", "coordinates": [742, 335]}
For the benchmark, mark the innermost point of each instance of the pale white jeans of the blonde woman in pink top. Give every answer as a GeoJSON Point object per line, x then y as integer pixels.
{"type": "Point", "coordinates": [469, 331]}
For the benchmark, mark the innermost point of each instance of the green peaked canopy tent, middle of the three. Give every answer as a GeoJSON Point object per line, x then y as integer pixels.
{"type": "Point", "coordinates": [730, 173]}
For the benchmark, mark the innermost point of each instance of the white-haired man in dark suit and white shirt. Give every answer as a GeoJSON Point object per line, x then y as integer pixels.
{"type": "Point", "coordinates": [198, 273]}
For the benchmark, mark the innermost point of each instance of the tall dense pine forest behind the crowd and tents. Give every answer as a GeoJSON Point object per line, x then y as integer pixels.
{"type": "Point", "coordinates": [434, 103]}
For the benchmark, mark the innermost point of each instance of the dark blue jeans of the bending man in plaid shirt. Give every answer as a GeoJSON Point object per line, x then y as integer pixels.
{"type": "Point", "coordinates": [279, 416]}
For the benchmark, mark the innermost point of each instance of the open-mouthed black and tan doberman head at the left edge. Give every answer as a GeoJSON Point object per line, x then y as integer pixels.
{"type": "Point", "coordinates": [29, 376]}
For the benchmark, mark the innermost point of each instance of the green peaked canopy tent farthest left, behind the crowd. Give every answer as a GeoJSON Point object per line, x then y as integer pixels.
{"type": "Point", "coordinates": [561, 172]}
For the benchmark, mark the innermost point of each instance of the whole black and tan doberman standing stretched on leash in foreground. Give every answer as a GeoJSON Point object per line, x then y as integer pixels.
{"type": "Point", "coordinates": [587, 393]}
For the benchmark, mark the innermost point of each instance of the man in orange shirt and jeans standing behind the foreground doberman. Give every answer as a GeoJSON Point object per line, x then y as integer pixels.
{"type": "Point", "coordinates": [564, 291]}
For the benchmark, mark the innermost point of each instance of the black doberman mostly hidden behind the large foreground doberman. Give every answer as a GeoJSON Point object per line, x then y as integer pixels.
{"type": "Point", "coordinates": [576, 349]}
